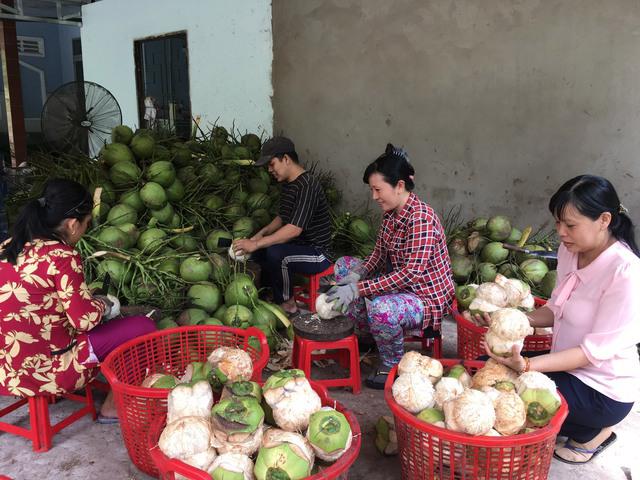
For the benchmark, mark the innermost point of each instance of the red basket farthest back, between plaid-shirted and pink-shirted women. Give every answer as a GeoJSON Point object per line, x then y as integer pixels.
{"type": "Point", "coordinates": [470, 334]}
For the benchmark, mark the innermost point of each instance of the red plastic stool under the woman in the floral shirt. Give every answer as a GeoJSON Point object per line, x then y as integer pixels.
{"type": "Point", "coordinates": [41, 432]}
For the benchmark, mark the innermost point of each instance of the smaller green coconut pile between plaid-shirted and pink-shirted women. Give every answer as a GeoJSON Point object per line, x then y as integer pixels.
{"type": "Point", "coordinates": [478, 256]}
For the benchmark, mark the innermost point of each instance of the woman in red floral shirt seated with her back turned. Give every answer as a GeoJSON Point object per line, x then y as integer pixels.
{"type": "Point", "coordinates": [51, 338]}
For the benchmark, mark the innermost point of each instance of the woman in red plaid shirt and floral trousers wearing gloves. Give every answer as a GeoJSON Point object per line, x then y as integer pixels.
{"type": "Point", "coordinates": [406, 284]}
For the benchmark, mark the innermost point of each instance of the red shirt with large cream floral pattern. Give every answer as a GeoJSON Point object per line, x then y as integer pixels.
{"type": "Point", "coordinates": [45, 311]}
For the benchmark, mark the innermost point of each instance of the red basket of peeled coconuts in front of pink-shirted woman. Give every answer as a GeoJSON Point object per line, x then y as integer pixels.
{"type": "Point", "coordinates": [430, 452]}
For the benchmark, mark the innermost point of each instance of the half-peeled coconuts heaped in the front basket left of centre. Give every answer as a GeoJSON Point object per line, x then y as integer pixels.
{"type": "Point", "coordinates": [278, 430]}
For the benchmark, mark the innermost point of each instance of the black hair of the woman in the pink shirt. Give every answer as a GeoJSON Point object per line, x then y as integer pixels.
{"type": "Point", "coordinates": [592, 196]}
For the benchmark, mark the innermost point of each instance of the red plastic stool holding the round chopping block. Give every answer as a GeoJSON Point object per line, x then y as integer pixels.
{"type": "Point", "coordinates": [346, 354]}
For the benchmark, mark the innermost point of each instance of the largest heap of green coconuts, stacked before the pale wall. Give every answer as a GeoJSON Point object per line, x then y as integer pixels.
{"type": "Point", "coordinates": [165, 215]}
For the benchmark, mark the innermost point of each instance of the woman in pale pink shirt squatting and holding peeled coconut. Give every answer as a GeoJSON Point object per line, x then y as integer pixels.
{"type": "Point", "coordinates": [595, 312]}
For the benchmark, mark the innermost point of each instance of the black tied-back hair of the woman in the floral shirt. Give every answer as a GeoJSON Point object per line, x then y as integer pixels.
{"type": "Point", "coordinates": [42, 217]}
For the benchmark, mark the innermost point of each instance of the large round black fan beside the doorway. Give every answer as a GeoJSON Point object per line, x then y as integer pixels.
{"type": "Point", "coordinates": [79, 116]}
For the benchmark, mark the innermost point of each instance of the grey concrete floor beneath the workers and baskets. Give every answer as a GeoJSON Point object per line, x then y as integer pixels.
{"type": "Point", "coordinates": [89, 450]}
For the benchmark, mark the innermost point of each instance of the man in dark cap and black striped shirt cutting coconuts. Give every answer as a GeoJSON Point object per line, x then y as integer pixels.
{"type": "Point", "coordinates": [297, 240]}
